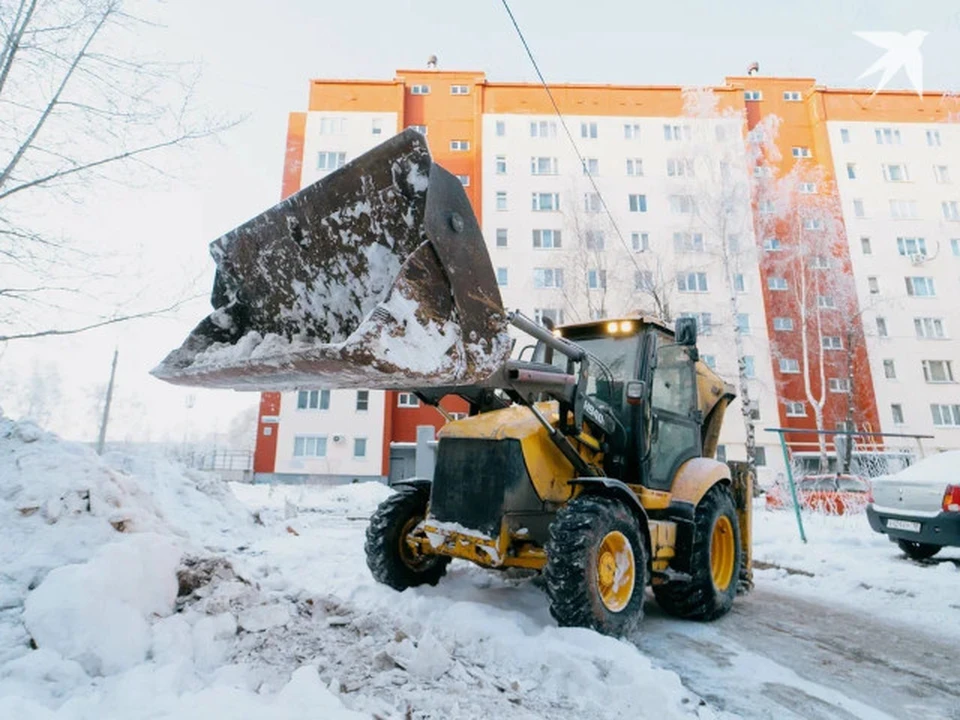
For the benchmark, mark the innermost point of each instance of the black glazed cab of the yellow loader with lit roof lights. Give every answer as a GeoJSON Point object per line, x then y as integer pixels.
{"type": "Point", "coordinates": [661, 429]}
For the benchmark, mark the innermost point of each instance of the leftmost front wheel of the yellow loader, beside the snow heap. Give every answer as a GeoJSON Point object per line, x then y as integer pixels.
{"type": "Point", "coordinates": [390, 560]}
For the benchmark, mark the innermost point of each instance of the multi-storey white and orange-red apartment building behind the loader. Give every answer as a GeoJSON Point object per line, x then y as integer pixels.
{"type": "Point", "coordinates": [630, 221]}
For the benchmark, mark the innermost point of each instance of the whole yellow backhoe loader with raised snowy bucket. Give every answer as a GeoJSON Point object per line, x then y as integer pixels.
{"type": "Point", "coordinates": [590, 461]}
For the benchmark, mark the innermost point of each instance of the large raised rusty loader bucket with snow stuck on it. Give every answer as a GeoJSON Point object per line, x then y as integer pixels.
{"type": "Point", "coordinates": [376, 276]}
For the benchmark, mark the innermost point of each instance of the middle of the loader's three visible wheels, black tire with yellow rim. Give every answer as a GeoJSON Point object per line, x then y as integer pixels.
{"type": "Point", "coordinates": [596, 570]}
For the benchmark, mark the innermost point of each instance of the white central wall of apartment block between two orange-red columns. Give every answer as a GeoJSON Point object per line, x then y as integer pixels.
{"type": "Point", "coordinates": [645, 180]}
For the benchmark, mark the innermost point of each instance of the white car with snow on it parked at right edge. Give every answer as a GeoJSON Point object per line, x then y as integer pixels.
{"type": "Point", "coordinates": [919, 507]}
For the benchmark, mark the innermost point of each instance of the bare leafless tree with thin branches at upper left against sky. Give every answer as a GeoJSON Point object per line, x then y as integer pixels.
{"type": "Point", "coordinates": [78, 104]}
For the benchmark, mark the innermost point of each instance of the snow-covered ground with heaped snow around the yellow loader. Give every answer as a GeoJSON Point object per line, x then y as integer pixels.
{"type": "Point", "coordinates": [130, 587]}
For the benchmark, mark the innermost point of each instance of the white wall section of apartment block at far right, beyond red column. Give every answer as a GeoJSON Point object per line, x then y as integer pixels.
{"type": "Point", "coordinates": [899, 184]}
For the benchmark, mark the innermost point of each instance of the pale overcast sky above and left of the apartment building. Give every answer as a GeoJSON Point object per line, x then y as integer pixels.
{"type": "Point", "coordinates": [259, 56]}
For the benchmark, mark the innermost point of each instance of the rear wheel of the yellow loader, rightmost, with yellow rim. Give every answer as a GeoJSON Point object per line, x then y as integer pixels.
{"type": "Point", "coordinates": [715, 561]}
